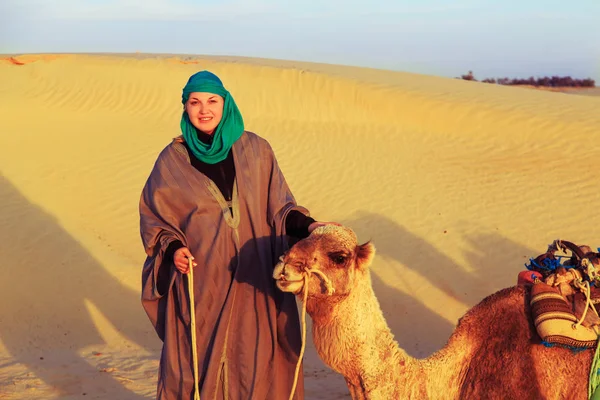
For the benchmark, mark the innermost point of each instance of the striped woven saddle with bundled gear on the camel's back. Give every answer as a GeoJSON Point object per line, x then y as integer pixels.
{"type": "Point", "coordinates": [565, 295]}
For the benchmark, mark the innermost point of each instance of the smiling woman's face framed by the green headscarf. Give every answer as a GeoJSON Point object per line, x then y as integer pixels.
{"type": "Point", "coordinates": [205, 111]}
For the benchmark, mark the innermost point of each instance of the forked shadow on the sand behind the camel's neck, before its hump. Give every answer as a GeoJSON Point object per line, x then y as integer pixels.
{"type": "Point", "coordinates": [495, 262]}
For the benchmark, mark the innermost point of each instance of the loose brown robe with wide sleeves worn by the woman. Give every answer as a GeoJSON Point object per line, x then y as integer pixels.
{"type": "Point", "coordinates": [248, 332]}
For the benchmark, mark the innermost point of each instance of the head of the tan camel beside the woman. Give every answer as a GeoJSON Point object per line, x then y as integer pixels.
{"type": "Point", "coordinates": [332, 258]}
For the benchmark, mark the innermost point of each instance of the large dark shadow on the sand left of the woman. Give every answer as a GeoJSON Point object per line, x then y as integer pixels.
{"type": "Point", "coordinates": [47, 278]}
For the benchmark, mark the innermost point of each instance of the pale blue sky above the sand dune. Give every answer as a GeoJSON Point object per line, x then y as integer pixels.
{"type": "Point", "coordinates": [447, 38]}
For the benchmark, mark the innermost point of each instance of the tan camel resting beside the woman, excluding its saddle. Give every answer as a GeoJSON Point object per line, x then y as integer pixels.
{"type": "Point", "coordinates": [494, 352]}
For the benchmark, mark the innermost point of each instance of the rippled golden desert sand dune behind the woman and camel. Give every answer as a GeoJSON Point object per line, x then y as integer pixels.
{"type": "Point", "coordinates": [456, 183]}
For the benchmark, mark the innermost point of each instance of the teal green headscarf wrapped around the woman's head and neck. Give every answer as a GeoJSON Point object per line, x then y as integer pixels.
{"type": "Point", "coordinates": [227, 132]}
